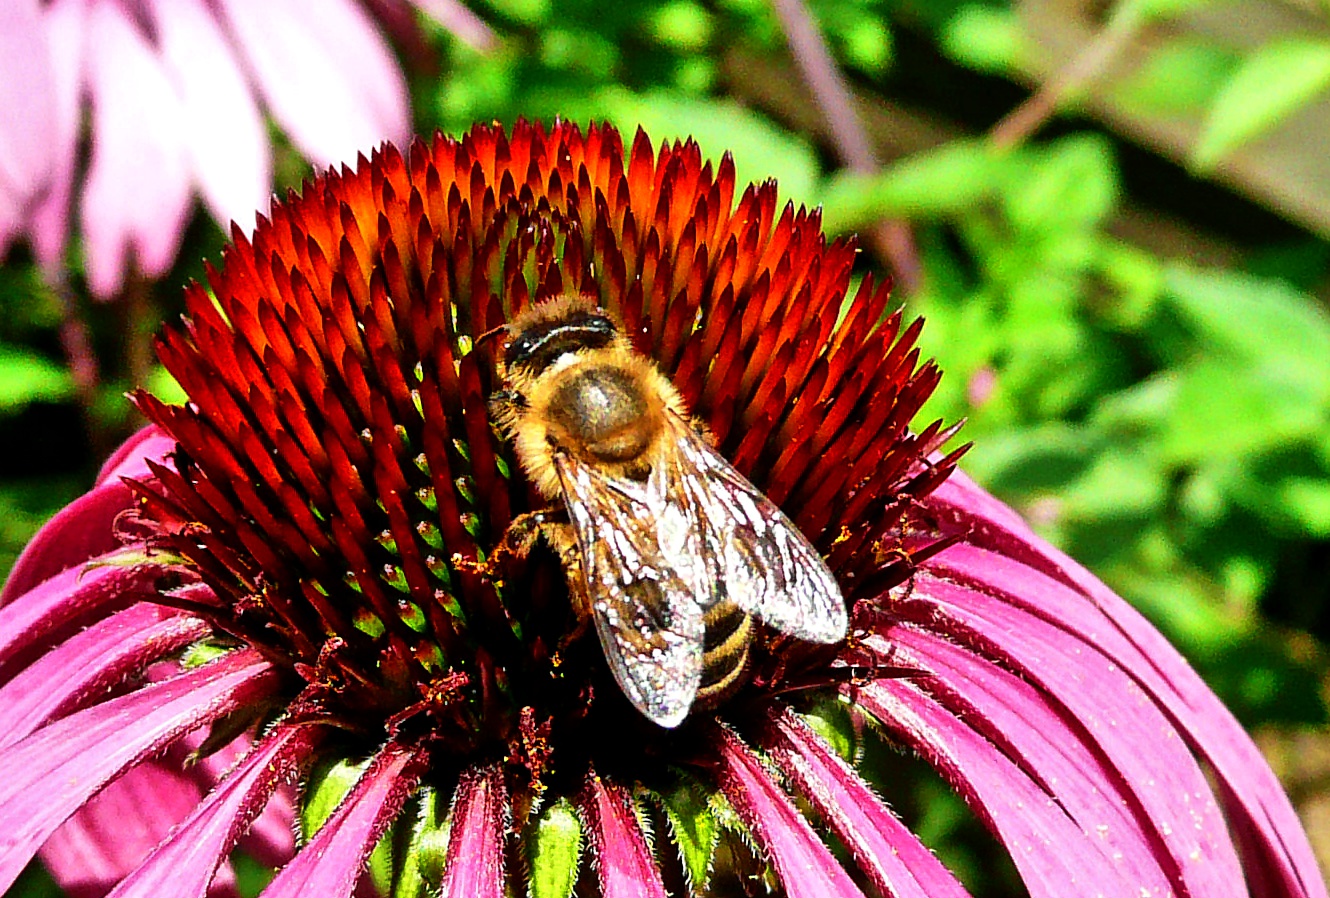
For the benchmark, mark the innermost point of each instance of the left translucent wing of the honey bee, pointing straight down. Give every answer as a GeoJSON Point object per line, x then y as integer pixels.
{"type": "Point", "coordinates": [642, 586]}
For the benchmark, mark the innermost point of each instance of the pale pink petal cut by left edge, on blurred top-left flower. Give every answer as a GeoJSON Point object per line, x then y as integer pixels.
{"type": "Point", "coordinates": [27, 100]}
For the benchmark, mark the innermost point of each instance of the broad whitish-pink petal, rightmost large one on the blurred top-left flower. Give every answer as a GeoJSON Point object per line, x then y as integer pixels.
{"type": "Point", "coordinates": [327, 74]}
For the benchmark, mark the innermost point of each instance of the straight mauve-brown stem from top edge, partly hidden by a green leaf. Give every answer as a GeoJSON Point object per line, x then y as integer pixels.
{"type": "Point", "coordinates": [892, 240]}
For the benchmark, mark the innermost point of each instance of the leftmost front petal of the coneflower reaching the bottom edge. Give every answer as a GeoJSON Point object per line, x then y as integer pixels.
{"type": "Point", "coordinates": [186, 863]}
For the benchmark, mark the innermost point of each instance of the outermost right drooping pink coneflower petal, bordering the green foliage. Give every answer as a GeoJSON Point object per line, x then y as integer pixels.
{"type": "Point", "coordinates": [1078, 602]}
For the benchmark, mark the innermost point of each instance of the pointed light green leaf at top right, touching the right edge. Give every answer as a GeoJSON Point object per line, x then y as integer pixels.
{"type": "Point", "coordinates": [1268, 87]}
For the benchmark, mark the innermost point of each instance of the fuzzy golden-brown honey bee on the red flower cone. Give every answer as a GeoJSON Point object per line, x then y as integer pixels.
{"type": "Point", "coordinates": [667, 549]}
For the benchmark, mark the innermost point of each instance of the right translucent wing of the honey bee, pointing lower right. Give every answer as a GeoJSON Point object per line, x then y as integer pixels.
{"type": "Point", "coordinates": [756, 557]}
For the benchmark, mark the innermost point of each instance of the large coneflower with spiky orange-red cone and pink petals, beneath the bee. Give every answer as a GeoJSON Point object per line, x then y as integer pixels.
{"type": "Point", "coordinates": [297, 571]}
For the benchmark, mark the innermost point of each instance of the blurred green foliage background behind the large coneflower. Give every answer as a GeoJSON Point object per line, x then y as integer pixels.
{"type": "Point", "coordinates": [1115, 218]}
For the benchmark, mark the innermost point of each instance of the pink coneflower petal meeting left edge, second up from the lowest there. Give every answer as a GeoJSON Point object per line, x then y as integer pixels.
{"type": "Point", "coordinates": [92, 663]}
